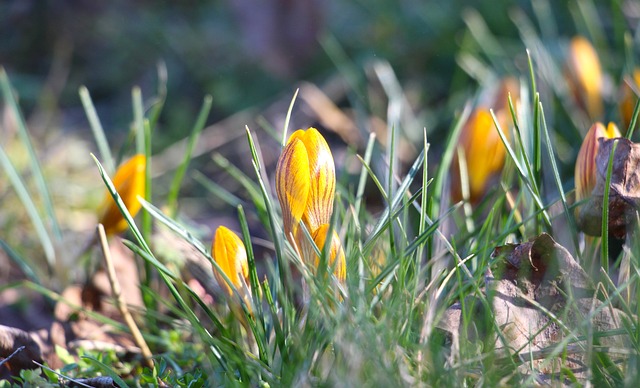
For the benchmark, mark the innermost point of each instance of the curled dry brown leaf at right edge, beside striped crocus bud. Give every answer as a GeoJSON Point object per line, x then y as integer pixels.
{"type": "Point", "coordinates": [624, 192]}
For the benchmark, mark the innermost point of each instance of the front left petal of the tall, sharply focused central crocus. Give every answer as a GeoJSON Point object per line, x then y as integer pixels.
{"type": "Point", "coordinates": [292, 184]}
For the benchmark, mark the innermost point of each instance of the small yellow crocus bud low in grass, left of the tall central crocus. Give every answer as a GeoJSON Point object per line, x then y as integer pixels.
{"type": "Point", "coordinates": [231, 256]}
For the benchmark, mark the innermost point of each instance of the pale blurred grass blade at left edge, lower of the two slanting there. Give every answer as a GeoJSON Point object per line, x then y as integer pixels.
{"type": "Point", "coordinates": [30, 207]}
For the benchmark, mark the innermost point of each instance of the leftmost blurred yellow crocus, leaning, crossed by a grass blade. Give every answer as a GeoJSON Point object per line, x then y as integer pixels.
{"type": "Point", "coordinates": [129, 182]}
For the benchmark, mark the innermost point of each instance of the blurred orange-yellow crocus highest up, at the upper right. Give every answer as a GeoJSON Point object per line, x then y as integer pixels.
{"type": "Point", "coordinates": [585, 76]}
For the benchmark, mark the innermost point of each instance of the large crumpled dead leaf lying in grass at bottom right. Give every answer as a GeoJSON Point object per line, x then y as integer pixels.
{"type": "Point", "coordinates": [539, 296]}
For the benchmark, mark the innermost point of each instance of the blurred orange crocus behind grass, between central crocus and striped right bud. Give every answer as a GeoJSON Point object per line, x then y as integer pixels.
{"type": "Point", "coordinates": [484, 153]}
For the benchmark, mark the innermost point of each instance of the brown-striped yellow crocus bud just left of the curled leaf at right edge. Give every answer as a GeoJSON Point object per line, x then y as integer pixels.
{"type": "Point", "coordinates": [585, 170]}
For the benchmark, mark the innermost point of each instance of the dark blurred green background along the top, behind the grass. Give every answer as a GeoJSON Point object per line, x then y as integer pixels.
{"type": "Point", "coordinates": [245, 52]}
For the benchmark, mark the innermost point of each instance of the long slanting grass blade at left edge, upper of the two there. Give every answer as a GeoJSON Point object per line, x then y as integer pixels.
{"type": "Point", "coordinates": [36, 169]}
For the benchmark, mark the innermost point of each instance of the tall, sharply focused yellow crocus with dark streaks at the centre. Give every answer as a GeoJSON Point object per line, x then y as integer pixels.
{"type": "Point", "coordinates": [305, 183]}
